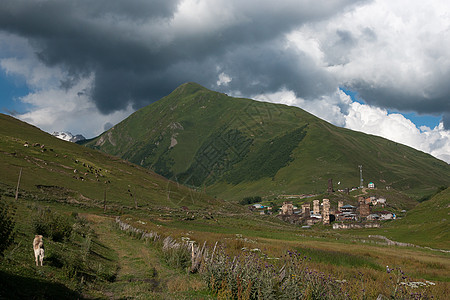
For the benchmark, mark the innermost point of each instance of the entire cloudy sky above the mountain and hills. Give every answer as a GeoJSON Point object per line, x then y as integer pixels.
{"type": "Point", "coordinates": [381, 67]}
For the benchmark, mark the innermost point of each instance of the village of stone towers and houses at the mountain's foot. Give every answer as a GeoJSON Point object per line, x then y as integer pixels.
{"type": "Point", "coordinates": [368, 213]}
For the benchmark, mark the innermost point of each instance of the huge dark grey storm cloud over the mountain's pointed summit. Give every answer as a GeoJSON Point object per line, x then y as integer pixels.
{"type": "Point", "coordinates": [137, 56]}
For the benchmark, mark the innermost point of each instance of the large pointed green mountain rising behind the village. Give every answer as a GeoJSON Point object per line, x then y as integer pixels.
{"type": "Point", "coordinates": [240, 147]}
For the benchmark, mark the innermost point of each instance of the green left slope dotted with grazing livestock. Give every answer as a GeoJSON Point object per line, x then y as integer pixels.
{"type": "Point", "coordinates": [66, 172]}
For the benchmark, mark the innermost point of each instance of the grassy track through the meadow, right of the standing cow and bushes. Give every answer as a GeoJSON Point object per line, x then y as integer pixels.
{"type": "Point", "coordinates": [141, 273]}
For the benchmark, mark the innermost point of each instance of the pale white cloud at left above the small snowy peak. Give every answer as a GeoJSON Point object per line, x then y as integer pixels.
{"type": "Point", "coordinates": [54, 108]}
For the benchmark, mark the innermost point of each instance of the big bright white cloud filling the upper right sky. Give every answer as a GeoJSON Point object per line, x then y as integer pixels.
{"type": "Point", "coordinates": [386, 48]}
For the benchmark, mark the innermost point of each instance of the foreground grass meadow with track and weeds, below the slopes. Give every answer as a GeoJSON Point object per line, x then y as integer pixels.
{"type": "Point", "coordinates": [97, 260]}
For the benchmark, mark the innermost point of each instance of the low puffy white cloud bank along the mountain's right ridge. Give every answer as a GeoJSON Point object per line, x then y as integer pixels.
{"type": "Point", "coordinates": [340, 110]}
